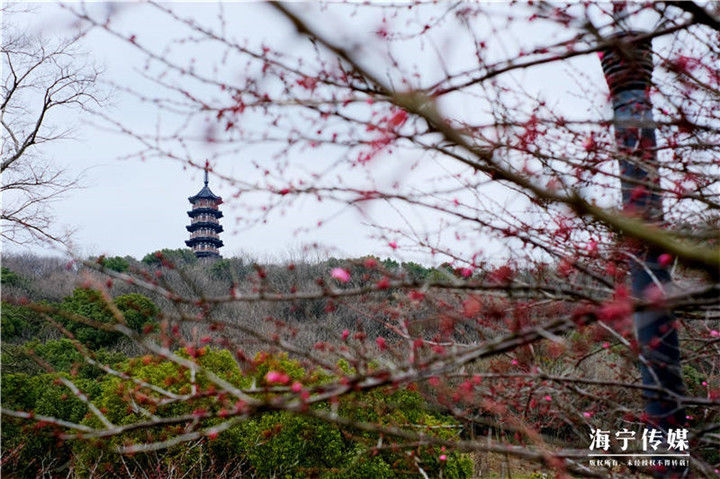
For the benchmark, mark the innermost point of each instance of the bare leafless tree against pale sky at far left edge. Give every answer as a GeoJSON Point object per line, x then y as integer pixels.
{"type": "Point", "coordinates": [43, 82]}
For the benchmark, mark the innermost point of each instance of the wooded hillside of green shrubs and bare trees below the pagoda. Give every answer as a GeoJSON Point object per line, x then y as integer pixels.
{"type": "Point", "coordinates": [53, 313]}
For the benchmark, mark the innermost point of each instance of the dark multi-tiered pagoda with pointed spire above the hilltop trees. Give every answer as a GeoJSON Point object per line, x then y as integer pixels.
{"type": "Point", "coordinates": [204, 224]}
